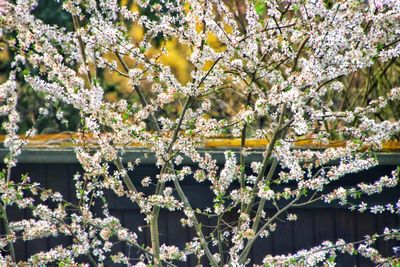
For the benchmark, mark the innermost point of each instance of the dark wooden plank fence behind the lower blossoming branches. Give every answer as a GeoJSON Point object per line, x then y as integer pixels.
{"type": "Point", "coordinates": [315, 223]}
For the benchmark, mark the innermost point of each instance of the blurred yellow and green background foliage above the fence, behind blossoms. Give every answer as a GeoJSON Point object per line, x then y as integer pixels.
{"type": "Point", "coordinates": [359, 87]}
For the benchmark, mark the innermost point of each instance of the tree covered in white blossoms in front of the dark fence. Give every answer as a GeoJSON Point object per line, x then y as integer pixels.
{"type": "Point", "coordinates": [287, 67]}
